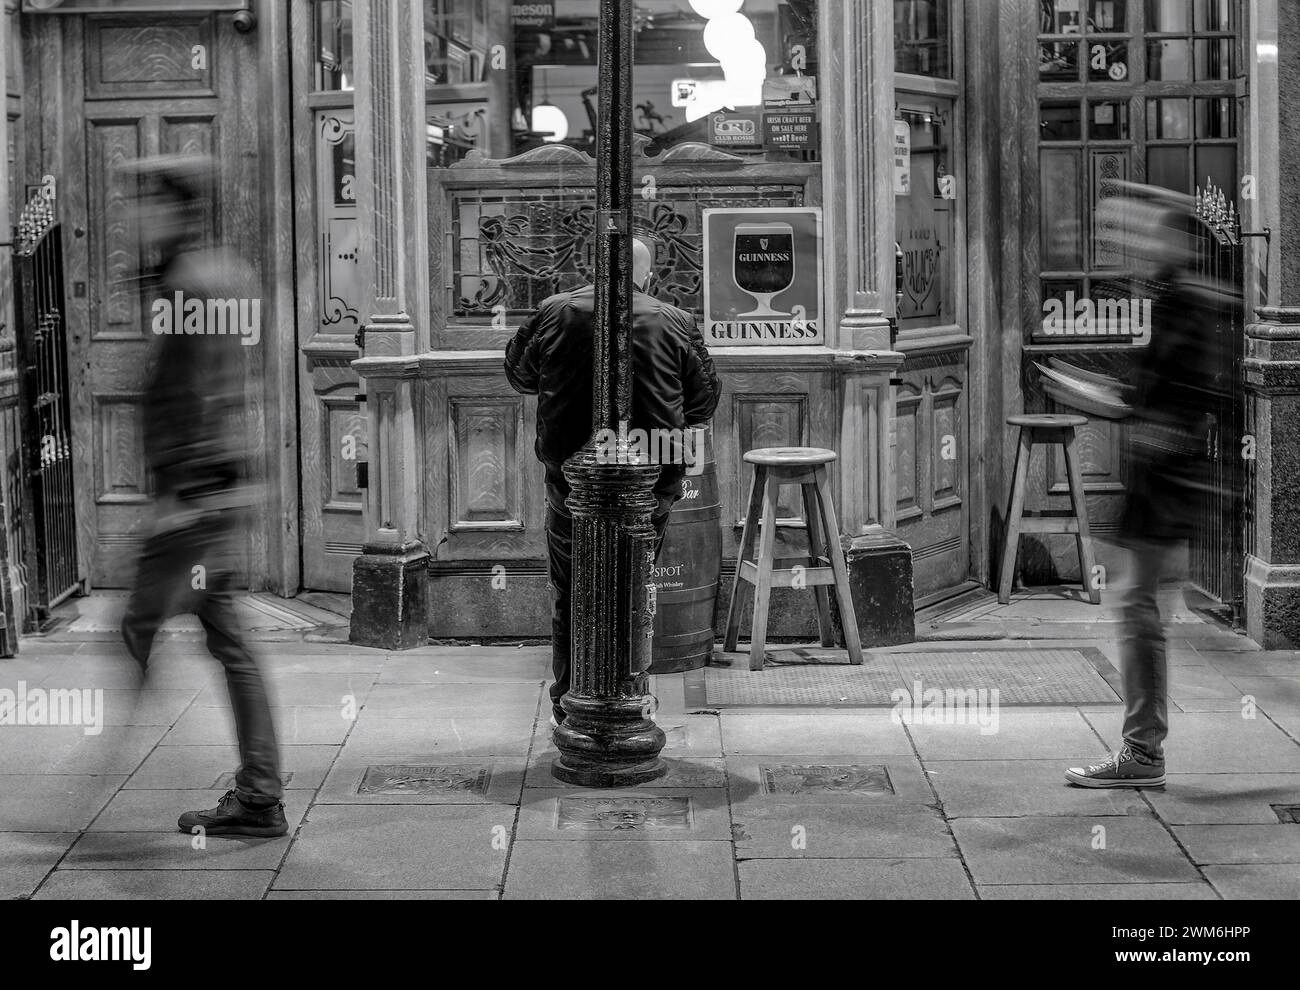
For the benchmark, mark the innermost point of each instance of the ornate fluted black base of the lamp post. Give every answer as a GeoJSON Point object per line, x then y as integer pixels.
{"type": "Point", "coordinates": [608, 739]}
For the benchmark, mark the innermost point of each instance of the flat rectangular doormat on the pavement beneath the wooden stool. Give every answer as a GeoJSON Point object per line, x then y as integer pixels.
{"type": "Point", "coordinates": [1022, 678]}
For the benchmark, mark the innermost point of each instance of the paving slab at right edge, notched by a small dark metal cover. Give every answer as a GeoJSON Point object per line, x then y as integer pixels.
{"type": "Point", "coordinates": [1224, 798]}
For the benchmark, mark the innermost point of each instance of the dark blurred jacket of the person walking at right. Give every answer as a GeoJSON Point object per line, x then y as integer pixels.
{"type": "Point", "coordinates": [1178, 389]}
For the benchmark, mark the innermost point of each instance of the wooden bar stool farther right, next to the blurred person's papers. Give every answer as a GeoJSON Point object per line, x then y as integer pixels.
{"type": "Point", "coordinates": [1047, 429]}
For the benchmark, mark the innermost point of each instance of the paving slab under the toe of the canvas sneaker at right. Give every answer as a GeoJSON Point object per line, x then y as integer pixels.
{"type": "Point", "coordinates": [1000, 789]}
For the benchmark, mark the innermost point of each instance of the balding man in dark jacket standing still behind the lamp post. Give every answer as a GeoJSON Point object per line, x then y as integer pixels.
{"type": "Point", "coordinates": [674, 388]}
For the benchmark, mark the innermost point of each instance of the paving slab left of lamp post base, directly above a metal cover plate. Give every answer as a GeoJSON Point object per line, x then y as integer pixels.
{"type": "Point", "coordinates": [396, 739]}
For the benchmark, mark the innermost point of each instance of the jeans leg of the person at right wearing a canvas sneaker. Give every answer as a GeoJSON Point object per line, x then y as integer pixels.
{"type": "Point", "coordinates": [1143, 654]}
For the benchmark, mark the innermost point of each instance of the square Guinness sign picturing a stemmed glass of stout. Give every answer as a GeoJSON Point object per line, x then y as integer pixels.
{"type": "Point", "coordinates": [764, 277]}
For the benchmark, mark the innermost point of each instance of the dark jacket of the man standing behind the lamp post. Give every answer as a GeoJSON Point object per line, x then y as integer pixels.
{"type": "Point", "coordinates": [674, 384]}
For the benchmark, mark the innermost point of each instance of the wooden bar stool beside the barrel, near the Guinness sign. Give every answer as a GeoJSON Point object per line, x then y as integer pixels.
{"type": "Point", "coordinates": [774, 468]}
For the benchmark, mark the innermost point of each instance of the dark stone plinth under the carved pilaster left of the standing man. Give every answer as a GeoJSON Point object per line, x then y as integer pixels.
{"type": "Point", "coordinates": [391, 597]}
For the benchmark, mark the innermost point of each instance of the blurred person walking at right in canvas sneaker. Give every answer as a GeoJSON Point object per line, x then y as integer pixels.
{"type": "Point", "coordinates": [1176, 390]}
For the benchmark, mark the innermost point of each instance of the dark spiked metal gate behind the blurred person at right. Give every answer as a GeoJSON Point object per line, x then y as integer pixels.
{"type": "Point", "coordinates": [1219, 535]}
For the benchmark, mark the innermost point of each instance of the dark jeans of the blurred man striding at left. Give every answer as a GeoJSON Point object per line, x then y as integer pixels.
{"type": "Point", "coordinates": [166, 588]}
